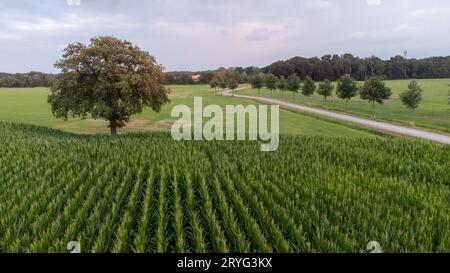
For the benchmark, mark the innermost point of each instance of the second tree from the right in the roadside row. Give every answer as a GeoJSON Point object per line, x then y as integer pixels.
{"type": "Point", "coordinates": [375, 91]}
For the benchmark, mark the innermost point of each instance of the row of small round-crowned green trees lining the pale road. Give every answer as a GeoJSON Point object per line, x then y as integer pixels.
{"type": "Point", "coordinates": [373, 90]}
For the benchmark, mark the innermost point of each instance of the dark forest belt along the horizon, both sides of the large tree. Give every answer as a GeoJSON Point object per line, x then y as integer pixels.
{"type": "Point", "coordinates": [330, 67]}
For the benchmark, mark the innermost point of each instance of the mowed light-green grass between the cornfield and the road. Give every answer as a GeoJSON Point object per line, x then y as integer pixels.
{"type": "Point", "coordinates": [29, 106]}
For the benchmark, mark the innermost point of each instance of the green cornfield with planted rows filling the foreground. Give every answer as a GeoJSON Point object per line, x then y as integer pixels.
{"type": "Point", "coordinates": [147, 193]}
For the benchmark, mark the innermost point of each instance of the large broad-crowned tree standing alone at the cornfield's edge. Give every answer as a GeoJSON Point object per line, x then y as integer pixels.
{"type": "Point", "coordinates": [108, 79]}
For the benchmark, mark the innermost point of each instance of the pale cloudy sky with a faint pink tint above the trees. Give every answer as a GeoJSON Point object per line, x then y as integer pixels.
{"type": "Point", "coordinates": [207, 34]}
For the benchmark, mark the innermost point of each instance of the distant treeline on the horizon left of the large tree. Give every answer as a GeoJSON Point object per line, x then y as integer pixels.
{"type": "Point", "coordinates": [31, 79]}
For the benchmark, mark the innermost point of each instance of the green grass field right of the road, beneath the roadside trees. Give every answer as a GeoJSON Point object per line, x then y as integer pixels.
{"type": "Point", "coordinates": [433, 113]}
